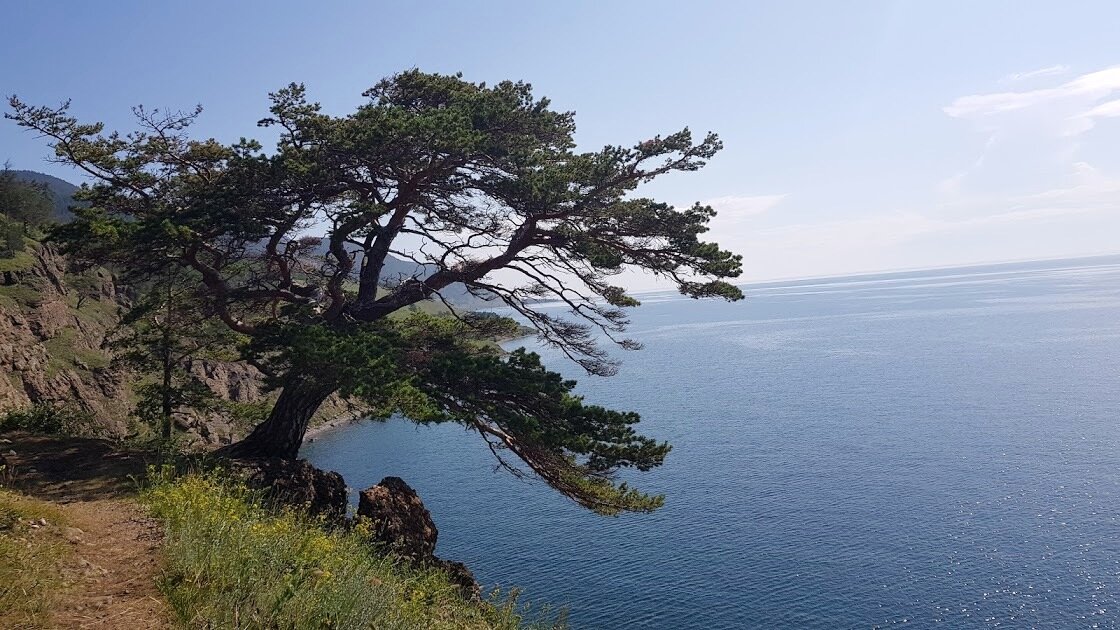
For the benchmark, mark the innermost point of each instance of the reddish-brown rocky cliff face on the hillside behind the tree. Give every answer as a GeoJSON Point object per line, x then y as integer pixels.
{"type": "Point", "coordinates": [54, 323]}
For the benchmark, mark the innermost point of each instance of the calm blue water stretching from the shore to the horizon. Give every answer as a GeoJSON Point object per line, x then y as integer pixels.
{"type": "Point", "coordinates": [935, 449]}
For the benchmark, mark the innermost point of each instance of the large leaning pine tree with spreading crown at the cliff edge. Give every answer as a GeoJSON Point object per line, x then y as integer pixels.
{"type": "Point", "coordinates": [480, 186]}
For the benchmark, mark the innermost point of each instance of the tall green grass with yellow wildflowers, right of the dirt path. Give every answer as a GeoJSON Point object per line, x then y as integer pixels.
{"type": "Point", "coordinates": [234, 563]}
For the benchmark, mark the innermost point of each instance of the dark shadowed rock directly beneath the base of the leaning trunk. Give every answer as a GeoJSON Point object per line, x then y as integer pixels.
{"type": "Point", "coordinates": [297, 484]}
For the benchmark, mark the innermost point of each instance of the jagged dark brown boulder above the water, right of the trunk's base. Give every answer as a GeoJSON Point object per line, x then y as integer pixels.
{"type": "Point", "coordinates": [400, 522]}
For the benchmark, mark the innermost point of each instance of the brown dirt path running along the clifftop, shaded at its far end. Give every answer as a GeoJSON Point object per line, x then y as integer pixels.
{"type": "Point", "coordinates": [111, 575]}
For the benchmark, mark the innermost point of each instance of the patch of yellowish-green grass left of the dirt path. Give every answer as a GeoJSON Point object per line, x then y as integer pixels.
{"type": "Point", "coordinates": [30, 559]}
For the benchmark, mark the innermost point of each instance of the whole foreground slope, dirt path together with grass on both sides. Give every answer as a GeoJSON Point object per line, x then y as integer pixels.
{"type": "Point", "coordinates": [226, 561]}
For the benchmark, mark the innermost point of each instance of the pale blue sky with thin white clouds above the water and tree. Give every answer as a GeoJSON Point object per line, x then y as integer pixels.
{"type": "Point", "coordinates": [861, 136]}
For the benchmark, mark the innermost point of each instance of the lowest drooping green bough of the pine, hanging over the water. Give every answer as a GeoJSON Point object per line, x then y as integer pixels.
{"type": "Point", "coordinates": [440, 369]}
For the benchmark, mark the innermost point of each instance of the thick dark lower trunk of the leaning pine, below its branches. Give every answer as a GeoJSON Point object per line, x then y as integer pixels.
{"type": "Point", "coordinates": [283, 433]}
